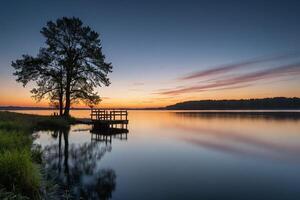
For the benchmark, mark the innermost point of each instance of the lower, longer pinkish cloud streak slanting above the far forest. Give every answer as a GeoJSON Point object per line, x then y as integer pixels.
{"type": "Point", "coordinates": [281, 71]}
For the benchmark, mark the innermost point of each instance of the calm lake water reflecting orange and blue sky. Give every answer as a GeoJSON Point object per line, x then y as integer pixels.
{"type": "Point", "coordinates": [178, 155]}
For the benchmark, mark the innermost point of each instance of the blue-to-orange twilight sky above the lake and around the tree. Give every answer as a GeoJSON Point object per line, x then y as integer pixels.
{"type": "Point", "coordinates": [164, 52]}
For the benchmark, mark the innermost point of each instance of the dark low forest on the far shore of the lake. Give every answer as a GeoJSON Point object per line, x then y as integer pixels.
{"type": "Point", "coordinates": [242, 104]}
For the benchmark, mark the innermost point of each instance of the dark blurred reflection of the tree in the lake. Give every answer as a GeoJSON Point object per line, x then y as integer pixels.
{"type": "Point", "coordinates": [75, 169]}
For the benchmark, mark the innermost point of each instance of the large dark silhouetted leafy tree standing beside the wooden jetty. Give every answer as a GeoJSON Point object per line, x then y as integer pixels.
{"type": "Point", "coordinates": [69, 68]}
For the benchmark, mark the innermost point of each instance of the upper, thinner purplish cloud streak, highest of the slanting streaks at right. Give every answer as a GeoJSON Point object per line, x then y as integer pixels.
{"type": "Point", "coordinates": [230, 67]}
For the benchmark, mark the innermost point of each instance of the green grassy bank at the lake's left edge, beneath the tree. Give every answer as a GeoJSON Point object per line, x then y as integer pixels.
{"type": "Point", "coordinates": [20, 176]}
